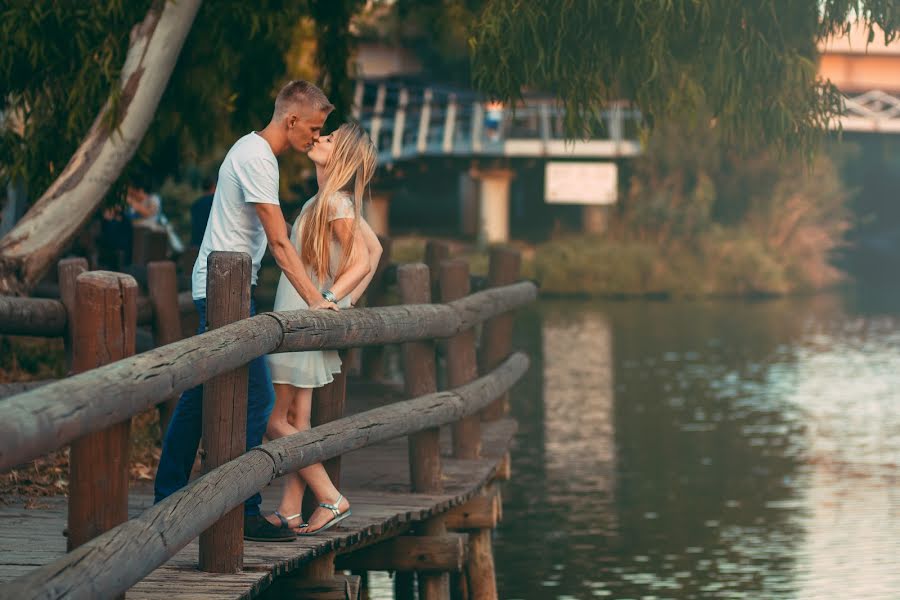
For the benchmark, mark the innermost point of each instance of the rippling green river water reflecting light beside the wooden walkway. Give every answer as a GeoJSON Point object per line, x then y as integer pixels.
{"type": "Point", "coordinates": [721, 449]}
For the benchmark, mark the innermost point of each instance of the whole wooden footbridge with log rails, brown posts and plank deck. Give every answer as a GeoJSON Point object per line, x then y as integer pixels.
{"type": "Point", "coordinates": [422, 473]}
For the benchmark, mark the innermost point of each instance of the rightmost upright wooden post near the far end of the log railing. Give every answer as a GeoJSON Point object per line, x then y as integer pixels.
{"type": "Point", "coordinates": [496, 335]}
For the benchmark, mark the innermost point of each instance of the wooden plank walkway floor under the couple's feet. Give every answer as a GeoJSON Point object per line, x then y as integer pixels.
{"type": "Point", "coordinates": [375, 480]}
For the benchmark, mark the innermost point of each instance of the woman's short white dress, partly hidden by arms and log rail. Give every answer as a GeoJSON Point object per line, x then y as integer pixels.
{"type": "Point", "coordinates": [314, 368]}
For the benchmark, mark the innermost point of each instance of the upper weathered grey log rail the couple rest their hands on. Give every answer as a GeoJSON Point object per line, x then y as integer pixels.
{"type": "Point", "coordinates": [49, 417]}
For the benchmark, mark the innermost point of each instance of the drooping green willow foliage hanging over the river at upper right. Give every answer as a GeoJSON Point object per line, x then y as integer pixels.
{"type": "Point", "coordinates": [752, 63]}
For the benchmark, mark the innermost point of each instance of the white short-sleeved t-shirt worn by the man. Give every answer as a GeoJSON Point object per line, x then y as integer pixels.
{"type": "Point", "coordinates": [248, 176]}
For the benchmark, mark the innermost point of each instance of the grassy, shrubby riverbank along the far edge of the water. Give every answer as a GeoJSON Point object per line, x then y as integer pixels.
{"type": "Point", "coordinates": [723, 263]}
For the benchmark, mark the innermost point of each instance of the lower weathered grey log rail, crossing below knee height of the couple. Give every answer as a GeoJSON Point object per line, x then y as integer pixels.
{"type": "Point", "coordinates": [101, 567]}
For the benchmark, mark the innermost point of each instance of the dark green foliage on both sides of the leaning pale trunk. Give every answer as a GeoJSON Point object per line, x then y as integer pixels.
{"type": "Point", "coordinates": [61, 62]}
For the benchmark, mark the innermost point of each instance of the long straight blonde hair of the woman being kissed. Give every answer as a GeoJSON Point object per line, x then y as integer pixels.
{"type": "Point", "coordinates": [349, 168]}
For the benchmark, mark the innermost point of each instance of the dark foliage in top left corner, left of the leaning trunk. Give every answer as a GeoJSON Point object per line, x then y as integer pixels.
{"type": "Point", "coordinates": [57, 68]}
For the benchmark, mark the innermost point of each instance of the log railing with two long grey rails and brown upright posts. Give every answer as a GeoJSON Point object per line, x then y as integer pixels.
{"type": "Point", "coordinates": [90, 408]}
